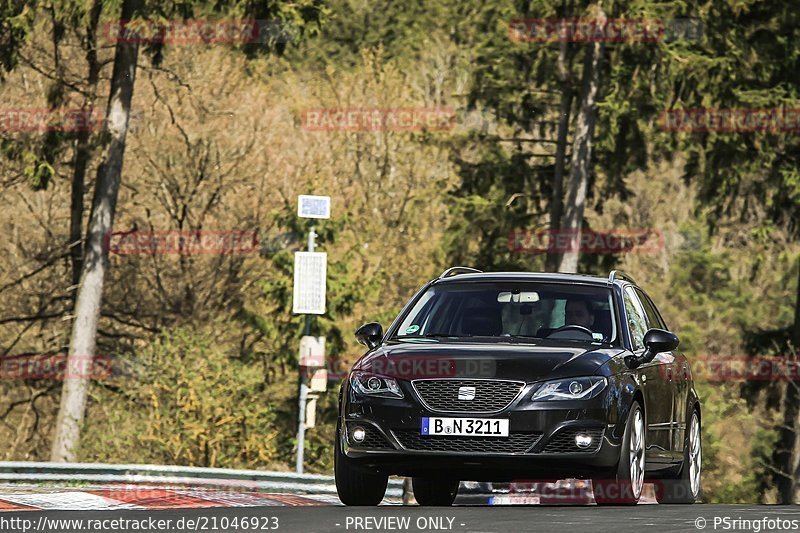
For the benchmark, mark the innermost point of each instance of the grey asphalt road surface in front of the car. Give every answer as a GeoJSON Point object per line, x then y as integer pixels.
{"type": "Point", "coordinates": [504, 519]}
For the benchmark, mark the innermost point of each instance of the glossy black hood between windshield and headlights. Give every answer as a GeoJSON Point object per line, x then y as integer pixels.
{"type": "Point", "coordinates": [523, 362]}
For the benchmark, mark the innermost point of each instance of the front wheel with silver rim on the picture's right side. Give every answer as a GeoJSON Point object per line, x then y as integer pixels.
{"type": "Point", "coordinates": [625, 487]}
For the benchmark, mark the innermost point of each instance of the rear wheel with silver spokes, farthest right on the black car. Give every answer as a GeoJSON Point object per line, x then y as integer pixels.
{"type": "Point", "coordinates": [686, 486]}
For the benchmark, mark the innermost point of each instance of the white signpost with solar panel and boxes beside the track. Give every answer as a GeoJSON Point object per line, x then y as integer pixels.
{"type": "Point", "coordinates": [308, 298]}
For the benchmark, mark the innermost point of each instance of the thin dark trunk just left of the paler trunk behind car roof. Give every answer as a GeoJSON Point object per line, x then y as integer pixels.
{"type": "Point", "coordinates": [557, 198]}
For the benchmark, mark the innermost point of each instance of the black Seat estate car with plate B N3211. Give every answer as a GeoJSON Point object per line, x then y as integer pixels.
{"type": "Point", "coordinates": [520, 377]}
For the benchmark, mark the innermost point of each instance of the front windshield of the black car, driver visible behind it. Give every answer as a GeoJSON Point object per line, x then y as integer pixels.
{"type": "Point", "coordinates": [512, 309]}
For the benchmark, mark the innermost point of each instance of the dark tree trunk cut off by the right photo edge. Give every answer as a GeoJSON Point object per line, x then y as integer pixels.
{"type": "Point", "coordinates": [789, 447]}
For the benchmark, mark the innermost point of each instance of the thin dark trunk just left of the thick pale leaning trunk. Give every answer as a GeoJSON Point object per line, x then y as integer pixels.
{"type": "Point", "coordinates": [83, 151]}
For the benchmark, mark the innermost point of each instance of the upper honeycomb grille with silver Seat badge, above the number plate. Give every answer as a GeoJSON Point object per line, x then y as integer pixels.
{"type": "Point", "coordinates": [490, 395]}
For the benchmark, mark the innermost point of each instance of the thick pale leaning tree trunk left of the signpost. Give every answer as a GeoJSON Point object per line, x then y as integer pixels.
{"type": "Point", "coordinates": [87, 308]}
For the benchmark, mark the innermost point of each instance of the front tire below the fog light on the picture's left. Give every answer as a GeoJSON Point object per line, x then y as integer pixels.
{"type": "Point", "coordinates": [355, 485]}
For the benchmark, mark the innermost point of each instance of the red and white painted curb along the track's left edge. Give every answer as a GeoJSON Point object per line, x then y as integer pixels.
{"type": "Point", "coordinates": [133, 497]}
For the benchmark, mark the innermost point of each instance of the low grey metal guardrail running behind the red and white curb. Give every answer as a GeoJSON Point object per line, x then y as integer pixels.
{"type": "Point", "coordinates": [28, 471]}
